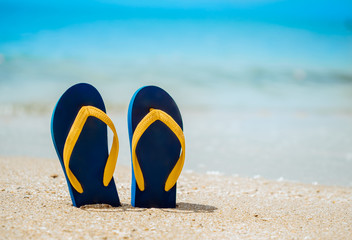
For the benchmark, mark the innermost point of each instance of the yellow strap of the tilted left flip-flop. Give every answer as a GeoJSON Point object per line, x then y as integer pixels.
{"type": "Point", "coordinates": [72, 138]}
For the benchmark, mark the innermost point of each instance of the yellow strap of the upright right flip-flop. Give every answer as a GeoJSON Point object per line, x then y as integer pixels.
{"type": "Point", "coordinates": [150, 118]}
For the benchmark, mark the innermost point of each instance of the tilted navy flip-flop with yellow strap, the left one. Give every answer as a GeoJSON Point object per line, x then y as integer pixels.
{"type": "Point", "coordinates": [79, 134]}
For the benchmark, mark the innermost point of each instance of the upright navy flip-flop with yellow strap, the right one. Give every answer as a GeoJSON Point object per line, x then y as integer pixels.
{"type": "Point", "coordinates": [157, 147]}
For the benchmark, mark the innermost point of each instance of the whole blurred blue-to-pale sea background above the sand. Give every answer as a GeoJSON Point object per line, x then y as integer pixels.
{"type": "Point", "coordinates": [264, 86]}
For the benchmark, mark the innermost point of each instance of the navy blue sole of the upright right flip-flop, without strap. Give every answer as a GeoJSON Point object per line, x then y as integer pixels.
{"type": "Point", "coordinates": [157, 150]}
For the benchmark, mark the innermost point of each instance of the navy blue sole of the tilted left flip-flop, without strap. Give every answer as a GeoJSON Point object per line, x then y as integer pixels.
{"type": "Point", "coordinates": [90, 153]}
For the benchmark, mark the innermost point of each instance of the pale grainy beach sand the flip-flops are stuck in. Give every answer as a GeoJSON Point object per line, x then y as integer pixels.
{"type": "Point", "coordinates": [35, 204]}
